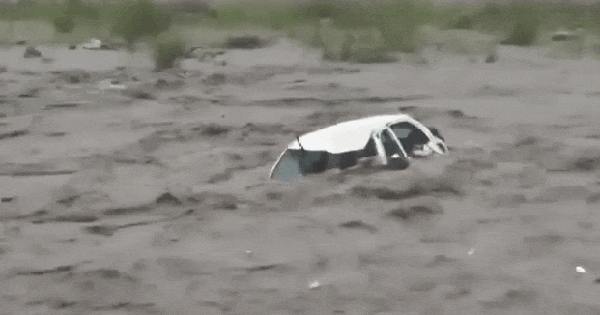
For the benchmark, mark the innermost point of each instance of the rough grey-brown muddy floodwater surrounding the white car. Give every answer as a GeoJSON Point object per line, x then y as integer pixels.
{"type": "Point", "coordinates": [155, 198]}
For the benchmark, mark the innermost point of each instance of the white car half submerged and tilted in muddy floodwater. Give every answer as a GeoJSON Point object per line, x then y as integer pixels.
{"type": "Point", "coordinates": [392, 139]}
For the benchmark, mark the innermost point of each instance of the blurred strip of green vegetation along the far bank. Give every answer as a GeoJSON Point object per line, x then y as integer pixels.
{"type": "Point", "coordinates": [395, 20]}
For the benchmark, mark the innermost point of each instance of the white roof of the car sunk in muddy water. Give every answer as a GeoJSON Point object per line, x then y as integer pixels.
{"type": "Point", "coordinates": [348, 136]}
